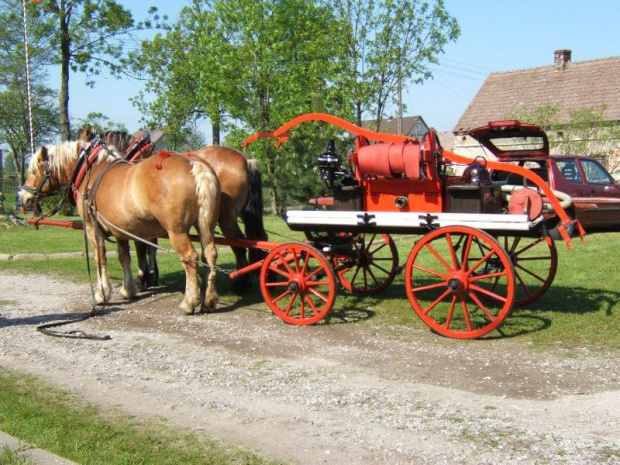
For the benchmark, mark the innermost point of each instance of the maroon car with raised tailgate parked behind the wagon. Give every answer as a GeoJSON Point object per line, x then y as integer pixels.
{"type": "Point", "coordinates": [595, 194]}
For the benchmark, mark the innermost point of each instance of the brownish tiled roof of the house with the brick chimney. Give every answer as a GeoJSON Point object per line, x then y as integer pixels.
{"type": "Point", "coordinates": [585, 84]}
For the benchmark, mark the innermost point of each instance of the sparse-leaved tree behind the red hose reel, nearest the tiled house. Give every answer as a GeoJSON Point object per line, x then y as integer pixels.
{"type": "Point", "coordinates": [389, 45]}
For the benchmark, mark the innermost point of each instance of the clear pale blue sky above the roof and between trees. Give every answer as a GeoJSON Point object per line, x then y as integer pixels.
{"type": "Point", "coordinates": [496, 35]}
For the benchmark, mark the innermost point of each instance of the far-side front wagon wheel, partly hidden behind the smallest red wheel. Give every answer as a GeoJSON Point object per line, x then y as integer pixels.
{"type": "Point", "coordinates": [370, 266]}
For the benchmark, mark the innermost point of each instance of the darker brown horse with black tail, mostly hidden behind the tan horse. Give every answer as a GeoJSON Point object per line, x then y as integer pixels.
{"type": "Point", "coordinates": [242, 197]}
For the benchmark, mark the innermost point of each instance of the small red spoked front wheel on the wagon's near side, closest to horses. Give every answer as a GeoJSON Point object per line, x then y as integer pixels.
{"type": "Point", "coordinates": [298, 284]}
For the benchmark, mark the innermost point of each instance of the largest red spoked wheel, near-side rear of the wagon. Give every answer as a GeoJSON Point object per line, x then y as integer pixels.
{"type": "Point", "coordinates": [454, 296]}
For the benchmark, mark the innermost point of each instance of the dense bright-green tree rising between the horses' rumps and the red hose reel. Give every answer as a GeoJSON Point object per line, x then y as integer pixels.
{"type": "Point", "coordinates": [283, 55]}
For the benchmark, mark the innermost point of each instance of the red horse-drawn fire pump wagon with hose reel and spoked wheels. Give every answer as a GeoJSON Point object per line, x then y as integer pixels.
{"type": "Point", "coordinates": [481, 246]}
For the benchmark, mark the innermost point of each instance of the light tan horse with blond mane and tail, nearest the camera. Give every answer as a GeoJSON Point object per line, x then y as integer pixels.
{"type": "Point", "coordinates": [163, 195]}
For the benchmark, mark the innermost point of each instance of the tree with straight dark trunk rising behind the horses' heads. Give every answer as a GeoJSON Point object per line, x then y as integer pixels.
{"type": "Point", "coordinates": [86, 36]}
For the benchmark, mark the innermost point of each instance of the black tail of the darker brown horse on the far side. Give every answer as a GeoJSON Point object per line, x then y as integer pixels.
{"type": "Point", "coordinates": [252, 214]}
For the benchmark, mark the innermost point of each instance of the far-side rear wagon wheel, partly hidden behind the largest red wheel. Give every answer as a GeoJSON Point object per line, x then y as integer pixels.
{"type": "Point", "coordinates": [535, 263]}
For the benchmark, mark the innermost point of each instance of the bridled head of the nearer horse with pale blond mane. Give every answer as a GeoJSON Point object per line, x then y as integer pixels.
{"type": "Point", "coordinates": [50, 169]}
